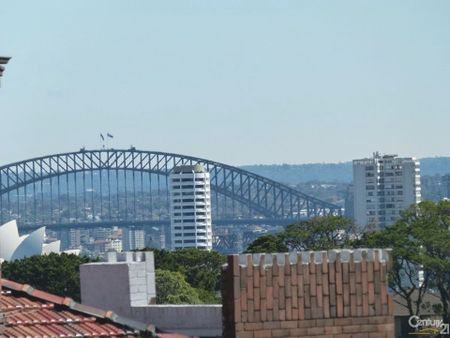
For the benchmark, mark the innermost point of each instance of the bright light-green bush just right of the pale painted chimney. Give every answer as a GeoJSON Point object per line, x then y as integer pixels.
{"type": "Point", "coordinates": [172, 288]}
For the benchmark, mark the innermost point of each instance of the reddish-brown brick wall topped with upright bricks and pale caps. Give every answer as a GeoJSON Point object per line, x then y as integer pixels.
{"type": "Point", "coordinates": [308, 294]}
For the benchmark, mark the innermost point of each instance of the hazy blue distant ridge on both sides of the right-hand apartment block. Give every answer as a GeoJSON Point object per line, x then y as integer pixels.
{"type": "Point", "coordinates": [334, 172]}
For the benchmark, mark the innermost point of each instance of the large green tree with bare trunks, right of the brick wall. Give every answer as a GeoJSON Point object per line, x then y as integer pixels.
{"type": "Point", "coordinates": [420, 240]}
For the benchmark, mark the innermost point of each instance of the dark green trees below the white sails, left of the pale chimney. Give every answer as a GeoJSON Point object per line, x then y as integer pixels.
{"type": "Point", "coordinates": [55, 273]}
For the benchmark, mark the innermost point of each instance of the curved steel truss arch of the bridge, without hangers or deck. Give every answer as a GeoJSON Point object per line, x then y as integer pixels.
{"type": "Point", "coordinates": [265, 196]}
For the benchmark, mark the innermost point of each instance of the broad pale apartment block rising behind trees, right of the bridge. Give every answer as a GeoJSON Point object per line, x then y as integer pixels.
{"type": "Point", "coordinates": [384, 185]}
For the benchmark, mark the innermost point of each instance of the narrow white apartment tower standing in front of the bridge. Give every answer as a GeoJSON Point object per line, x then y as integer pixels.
{"type": "Point", "coordinates": [190, 210]}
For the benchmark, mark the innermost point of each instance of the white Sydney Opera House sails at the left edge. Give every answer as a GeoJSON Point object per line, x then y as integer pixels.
{"type": "Point", "coordinates": [13, 246]}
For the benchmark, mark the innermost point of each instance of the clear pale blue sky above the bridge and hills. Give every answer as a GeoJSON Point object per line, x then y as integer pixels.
{"type": "Point", "coordinates": [240, 82]}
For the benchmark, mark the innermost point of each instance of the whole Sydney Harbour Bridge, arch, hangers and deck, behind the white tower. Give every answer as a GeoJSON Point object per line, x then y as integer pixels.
{"type": "Point", "coordinates": [130, 187]}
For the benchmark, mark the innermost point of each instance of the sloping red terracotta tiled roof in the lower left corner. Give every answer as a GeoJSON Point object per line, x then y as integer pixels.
{"type": "Point", "coordinates": [29, 313]}
